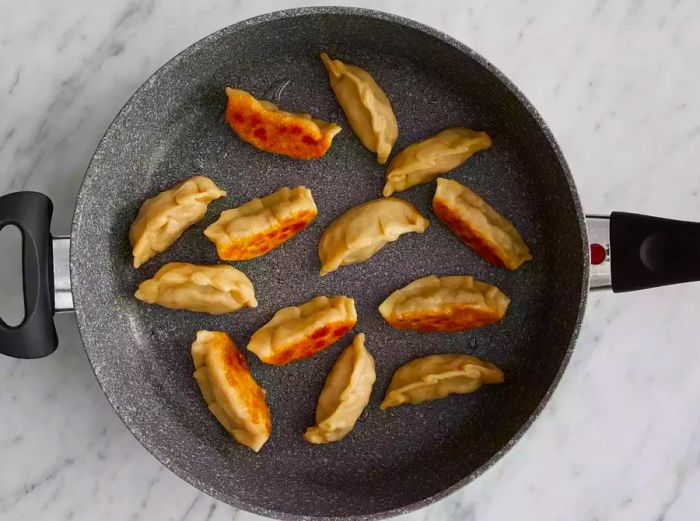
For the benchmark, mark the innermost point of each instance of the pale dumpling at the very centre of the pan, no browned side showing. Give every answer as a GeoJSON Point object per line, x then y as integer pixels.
{"type": "Point", "coordinates": [364, 230]}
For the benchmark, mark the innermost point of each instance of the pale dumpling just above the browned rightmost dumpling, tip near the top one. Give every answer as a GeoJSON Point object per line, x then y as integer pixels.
{"type": "Point", "coordinates": [424, 161]}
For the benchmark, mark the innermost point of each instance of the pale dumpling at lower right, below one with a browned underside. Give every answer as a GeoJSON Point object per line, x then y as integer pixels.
{"type": "Point", "coordinates": [437, 376]}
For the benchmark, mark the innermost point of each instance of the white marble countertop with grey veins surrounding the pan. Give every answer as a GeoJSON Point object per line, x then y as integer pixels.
{"type": "Point", "coordinates": [617, 81]}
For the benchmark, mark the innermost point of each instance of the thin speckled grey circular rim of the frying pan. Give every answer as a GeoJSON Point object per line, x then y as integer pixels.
{"type": "Point", "coordinates": [154, 450]}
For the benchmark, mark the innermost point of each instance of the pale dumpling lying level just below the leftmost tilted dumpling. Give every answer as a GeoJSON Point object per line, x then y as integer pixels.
{"type": "Point", "coordinates": [215, 289]}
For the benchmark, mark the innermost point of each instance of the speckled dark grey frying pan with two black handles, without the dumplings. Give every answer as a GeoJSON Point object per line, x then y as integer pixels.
{"type": "Point", "coordinates": [393, 461]}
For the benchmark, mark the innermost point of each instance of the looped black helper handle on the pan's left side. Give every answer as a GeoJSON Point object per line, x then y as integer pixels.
{"type": "Point", "coordinates": [35, 336]}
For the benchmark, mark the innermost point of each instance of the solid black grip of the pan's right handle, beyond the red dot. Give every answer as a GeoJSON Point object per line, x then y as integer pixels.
{"type": "Point", "coordinates": [647, 251]}
